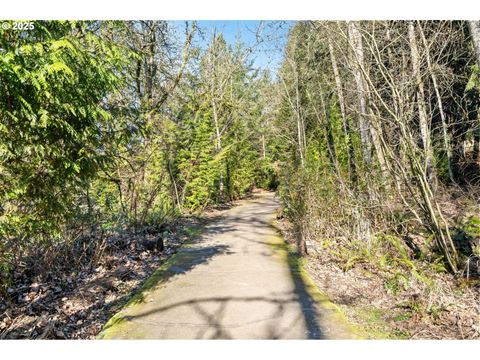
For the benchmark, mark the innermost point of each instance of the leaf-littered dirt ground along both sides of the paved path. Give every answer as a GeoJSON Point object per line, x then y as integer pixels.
{"type": "Point", "coordinates": [76, 304]}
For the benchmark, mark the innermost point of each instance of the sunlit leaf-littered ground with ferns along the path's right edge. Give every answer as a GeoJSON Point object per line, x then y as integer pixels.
{"type": "Point", "coordinates": [450, 309]}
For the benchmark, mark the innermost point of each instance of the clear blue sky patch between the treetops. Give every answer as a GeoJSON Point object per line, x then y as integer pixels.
{"type": "Point", "coordinates": [272, 35]}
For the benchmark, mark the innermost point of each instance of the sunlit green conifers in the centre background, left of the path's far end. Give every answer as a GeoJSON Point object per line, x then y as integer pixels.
{"type": "Point", "coordinates": [218, 131]}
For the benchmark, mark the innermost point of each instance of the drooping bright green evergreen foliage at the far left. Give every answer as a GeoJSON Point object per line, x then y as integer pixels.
{"type": "Point", "coordinates": [52, 89]}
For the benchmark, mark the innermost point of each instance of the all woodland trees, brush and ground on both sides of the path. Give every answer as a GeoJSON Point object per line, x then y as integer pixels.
{"type": "Point", "coordinates": [116, 136]}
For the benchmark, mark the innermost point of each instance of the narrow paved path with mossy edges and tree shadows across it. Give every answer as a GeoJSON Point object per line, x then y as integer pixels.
{"type": "Point", "coordinates": [234, 282]}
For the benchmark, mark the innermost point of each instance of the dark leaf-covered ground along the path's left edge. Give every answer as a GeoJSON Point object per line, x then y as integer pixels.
{"type": "Point", "coordinates": [76, 305]}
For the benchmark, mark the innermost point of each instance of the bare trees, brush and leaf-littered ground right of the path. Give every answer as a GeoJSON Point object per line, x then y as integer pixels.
{"type": "Point", "coordinates": [382, 122]}
